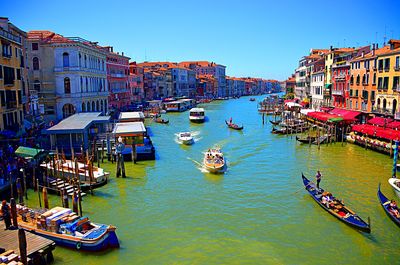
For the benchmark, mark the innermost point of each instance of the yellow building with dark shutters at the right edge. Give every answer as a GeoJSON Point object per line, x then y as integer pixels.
{"type": "Point", "coordinates": [388, 84]}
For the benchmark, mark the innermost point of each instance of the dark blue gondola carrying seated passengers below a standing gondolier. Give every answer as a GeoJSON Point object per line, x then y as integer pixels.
{"type": "Point", "coordinates": [338, 209]}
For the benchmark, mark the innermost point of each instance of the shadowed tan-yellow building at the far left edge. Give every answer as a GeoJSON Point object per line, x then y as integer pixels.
{"type": "Point", "coordinates": [13, 85]}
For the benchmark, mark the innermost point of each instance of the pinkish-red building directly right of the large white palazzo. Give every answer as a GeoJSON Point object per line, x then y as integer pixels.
{"type": "Point", "coordinates": [117, 79]}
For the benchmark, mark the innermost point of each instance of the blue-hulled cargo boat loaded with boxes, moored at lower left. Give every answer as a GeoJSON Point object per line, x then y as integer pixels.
{"type": "Point", "coordinates": [67, 229]}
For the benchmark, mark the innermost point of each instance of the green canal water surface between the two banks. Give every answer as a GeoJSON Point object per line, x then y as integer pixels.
{"type": "Point", "coordinates": [170, 212]}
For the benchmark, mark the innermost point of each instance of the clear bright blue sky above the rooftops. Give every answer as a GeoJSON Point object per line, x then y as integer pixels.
{"type": "Point", "coordinates": [251, 38]}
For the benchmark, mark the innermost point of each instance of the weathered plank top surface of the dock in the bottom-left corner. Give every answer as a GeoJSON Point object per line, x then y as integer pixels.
{"type": "Point", "coordinates": [35, 244]}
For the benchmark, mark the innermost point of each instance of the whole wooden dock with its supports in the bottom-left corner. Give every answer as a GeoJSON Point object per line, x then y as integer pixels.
{"type": "Point", "coordinates": [39, 249]}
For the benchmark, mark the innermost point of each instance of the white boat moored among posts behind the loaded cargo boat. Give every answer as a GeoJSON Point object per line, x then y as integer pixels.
{"type": "Point", "coordinates": [65, 169]}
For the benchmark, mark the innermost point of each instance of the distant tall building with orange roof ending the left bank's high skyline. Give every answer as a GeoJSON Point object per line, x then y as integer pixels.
{"type": "Point", "coordinates": [209, 68]}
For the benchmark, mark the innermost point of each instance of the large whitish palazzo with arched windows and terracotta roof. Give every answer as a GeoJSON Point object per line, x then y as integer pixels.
{"type": "Point", "coordinates": [68, 73]}
